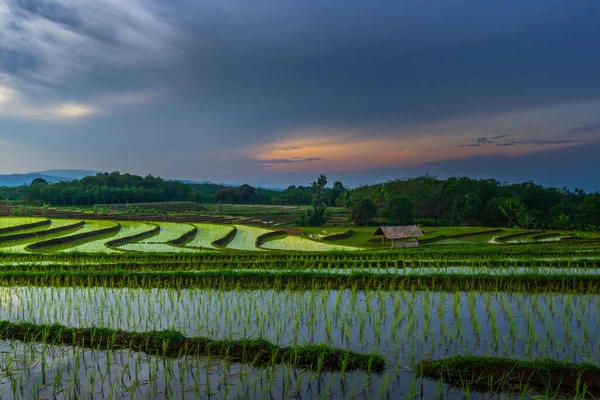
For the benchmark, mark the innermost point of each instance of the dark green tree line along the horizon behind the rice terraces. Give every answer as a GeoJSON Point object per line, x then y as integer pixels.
{"type": "Point", "coordinates": [425, 200]}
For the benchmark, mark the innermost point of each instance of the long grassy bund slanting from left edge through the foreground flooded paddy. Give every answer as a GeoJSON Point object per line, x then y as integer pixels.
{"type": "Point", "coordinates": [171, 343]}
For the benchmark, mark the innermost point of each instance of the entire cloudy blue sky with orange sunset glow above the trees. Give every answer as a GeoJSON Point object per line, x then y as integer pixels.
{"type": "Point", "coordinates": [277, 92]}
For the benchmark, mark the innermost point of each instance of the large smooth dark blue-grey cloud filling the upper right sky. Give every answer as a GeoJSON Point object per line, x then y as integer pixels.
{"type": "Point", "coordinates": [305, 63]}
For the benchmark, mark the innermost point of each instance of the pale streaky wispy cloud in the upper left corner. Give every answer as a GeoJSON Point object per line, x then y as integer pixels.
{"type": "Point", "coordinates": [70, 59]}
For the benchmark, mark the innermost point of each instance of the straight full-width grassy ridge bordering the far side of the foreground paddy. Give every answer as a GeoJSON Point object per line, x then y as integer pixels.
{"type": "Point", "coordinates": [300, 280]}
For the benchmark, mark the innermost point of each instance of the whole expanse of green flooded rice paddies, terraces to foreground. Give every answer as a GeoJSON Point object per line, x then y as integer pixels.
{"type": "Point", "coordinates": [159, 317]}
